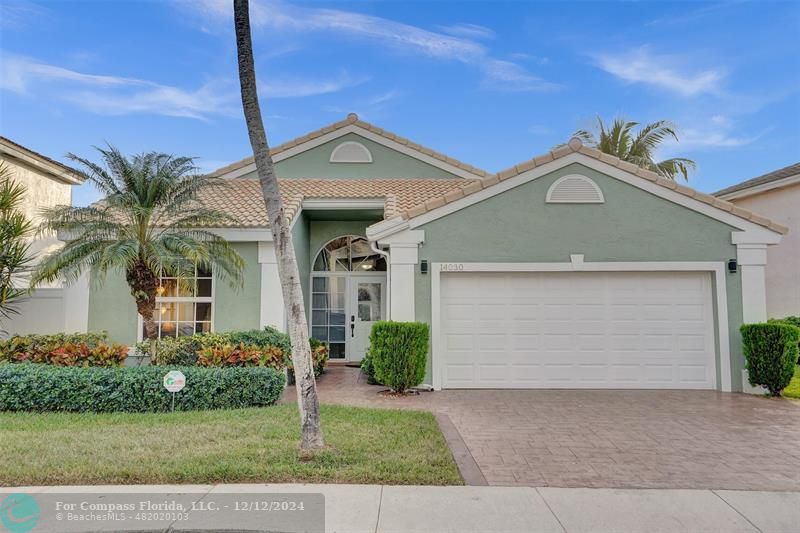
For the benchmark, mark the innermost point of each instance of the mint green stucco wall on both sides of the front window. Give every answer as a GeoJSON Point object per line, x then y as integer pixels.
{"type": "Point", "coordinates": [111, 306]}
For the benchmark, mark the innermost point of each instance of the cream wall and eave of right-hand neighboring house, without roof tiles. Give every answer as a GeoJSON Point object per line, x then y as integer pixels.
{"type": "Point", "coordinates": [783, 260]}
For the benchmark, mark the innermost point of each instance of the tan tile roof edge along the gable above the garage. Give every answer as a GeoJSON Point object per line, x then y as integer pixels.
{"type": "Point", "coordinates": [575, 145]}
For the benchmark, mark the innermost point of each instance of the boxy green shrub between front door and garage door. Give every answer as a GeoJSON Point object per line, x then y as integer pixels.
{"type": "Point", "coordinates": [399, 353]}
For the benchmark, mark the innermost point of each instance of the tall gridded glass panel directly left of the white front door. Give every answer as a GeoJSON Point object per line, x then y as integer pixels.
{"type": "Point", "coordinates": [328, 313]}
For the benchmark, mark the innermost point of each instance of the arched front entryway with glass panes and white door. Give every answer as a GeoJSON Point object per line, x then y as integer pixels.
{"type": "Point", "coordinates": [348, 288]}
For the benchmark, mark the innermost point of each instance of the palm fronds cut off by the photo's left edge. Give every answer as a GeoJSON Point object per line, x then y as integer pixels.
{"type": "Point", "coordinates": [15, 243]}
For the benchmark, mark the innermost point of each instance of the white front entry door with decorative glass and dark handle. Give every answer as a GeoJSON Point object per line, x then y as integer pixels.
{"type": "Point", "coordinates": [367, 306]}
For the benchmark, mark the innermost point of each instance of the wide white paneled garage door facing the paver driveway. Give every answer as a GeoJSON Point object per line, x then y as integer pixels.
{"type": "Point", "coordinates": [577, 330]}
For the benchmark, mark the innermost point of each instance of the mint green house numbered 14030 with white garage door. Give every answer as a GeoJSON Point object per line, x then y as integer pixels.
{"type": "Point", "coordinates": [570, 270]}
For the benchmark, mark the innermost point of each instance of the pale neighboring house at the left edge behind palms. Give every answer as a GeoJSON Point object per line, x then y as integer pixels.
{"type": "Point", "coordinates": [48, 183]}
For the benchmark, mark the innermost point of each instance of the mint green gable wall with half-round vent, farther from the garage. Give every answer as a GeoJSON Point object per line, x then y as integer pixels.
{"type": "Point", "coordinates": [386, 163]}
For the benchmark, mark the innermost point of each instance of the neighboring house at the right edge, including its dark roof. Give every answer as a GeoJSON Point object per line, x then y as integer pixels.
{"type": "Point", "coordinates": [777, 194]}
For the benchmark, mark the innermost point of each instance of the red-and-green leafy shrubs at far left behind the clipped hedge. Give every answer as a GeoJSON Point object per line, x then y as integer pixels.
{"type": "Point", "coordinates": [77, 349]}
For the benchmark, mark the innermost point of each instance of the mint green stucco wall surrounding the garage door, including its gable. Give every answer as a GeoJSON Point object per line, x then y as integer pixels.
{"type": "Point", "coordinates": [632, 225]}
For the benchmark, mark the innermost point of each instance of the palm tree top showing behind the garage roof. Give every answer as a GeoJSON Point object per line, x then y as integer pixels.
{"type": "Point", "coordinates": [638, 148]}
